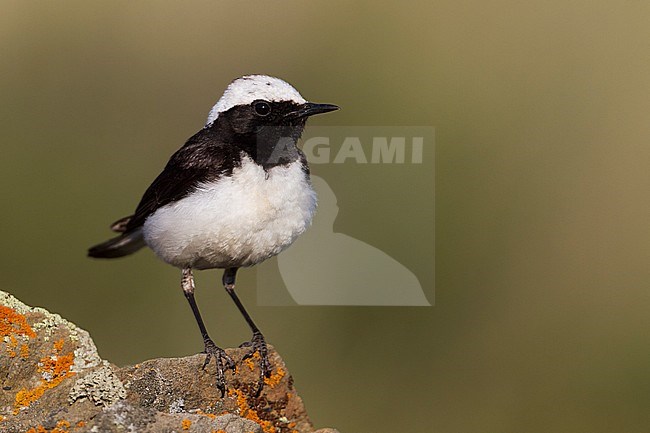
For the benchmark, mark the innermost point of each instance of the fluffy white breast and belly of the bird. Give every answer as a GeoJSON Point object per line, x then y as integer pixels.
{"type": "Point", "coordinates": [235, 221]}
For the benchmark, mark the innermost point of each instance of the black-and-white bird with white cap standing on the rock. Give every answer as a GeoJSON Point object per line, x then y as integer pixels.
{"type": "Point", "coordinates": [235, 194]}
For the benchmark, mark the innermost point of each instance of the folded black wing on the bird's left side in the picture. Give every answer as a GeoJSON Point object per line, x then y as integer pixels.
{"type": "Point", "coordinates": [201, 159]}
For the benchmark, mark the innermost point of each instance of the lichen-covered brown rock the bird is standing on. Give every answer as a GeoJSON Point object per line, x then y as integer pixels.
{"type": "Point", "coordinates": [53, 381]}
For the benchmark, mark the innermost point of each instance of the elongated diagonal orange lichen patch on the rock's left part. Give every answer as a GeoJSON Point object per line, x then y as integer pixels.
{"type": "Point", "coordinates": [54, 369]}
